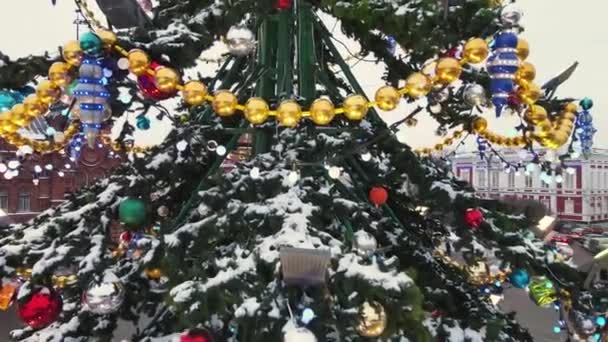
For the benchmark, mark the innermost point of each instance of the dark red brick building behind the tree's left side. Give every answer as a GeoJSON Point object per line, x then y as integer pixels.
{"type": "Point", "coordinates": [30, 185]}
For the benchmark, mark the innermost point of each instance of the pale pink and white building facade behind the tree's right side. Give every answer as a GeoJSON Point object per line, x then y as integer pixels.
{"type": "Point", "coordinates": [580, 195]}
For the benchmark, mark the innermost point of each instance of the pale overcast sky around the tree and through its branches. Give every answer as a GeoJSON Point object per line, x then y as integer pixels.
{"type": "Point", "coordinates": [559, 31]}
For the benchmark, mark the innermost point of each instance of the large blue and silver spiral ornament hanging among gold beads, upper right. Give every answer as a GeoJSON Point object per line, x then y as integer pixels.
{"type": "Point", "coordinates": [502, 66]}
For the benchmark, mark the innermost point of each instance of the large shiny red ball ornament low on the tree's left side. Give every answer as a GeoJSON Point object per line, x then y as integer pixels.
{"type": "Point", "coordinates": [41, 309]}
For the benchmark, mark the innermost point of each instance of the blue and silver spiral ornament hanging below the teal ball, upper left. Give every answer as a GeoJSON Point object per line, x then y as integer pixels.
{"type": "Point", "coordinates": [92, 97]}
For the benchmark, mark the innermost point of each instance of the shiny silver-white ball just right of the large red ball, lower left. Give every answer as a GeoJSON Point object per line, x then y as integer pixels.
{"type": "Point", "coordinates": [104, 297]}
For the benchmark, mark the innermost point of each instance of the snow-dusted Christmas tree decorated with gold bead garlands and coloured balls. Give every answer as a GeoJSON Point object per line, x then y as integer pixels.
{"type": "Point", "coordinates": [307, 222]}
